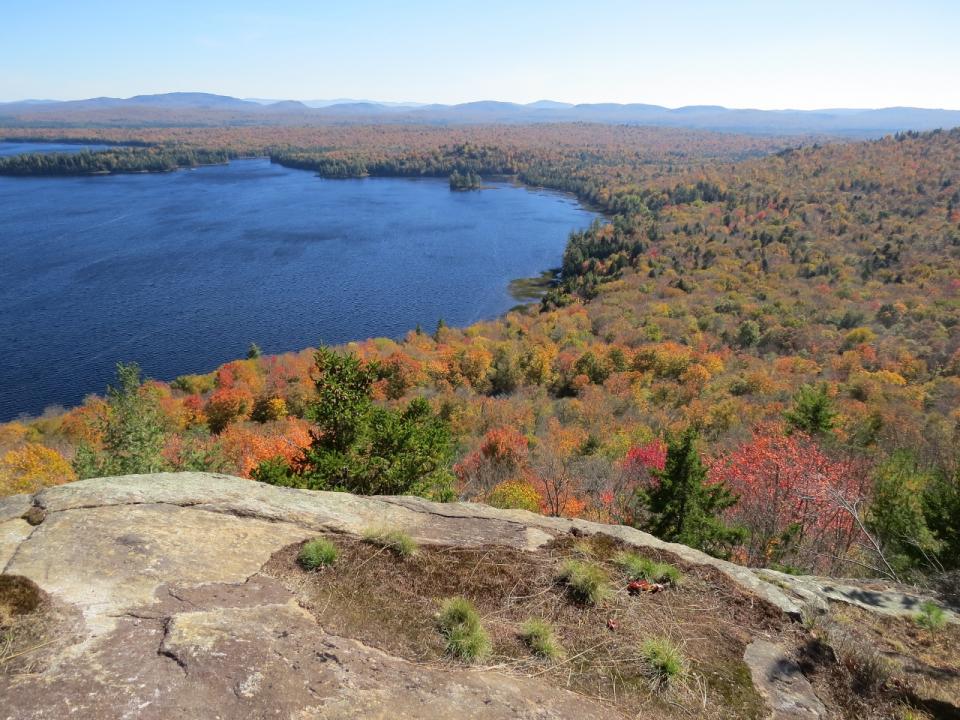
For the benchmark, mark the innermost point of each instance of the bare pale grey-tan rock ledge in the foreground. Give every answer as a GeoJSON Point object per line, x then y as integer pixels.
{"type": "Point", "coordinates": [163, 613]}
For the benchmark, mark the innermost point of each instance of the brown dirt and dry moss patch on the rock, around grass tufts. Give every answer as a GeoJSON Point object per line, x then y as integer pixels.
{"type": "Point", "coordinates": [391, 604]}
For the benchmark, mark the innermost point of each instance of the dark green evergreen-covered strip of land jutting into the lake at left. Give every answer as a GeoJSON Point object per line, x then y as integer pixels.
{"type": "Point", "coordinates": [121, 160]}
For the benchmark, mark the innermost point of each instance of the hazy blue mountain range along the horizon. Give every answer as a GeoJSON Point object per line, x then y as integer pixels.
{"type": "Point", "coordinates": [209, 109]}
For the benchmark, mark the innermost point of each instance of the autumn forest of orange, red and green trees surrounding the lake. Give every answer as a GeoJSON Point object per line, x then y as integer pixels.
{"type": "Point", "coordinates": [757, 353]}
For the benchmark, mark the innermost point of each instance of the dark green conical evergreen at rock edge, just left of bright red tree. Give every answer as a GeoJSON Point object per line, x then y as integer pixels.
{"type": "Point", "coordinates": [683, 507]}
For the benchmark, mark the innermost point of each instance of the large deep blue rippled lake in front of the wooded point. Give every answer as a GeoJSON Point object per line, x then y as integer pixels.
{"type": "Point", "coordinates": [181, 271]}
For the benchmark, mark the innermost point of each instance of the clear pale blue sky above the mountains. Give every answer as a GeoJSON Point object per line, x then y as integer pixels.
{"type": "Point", "coordinates": [739, 53]}
